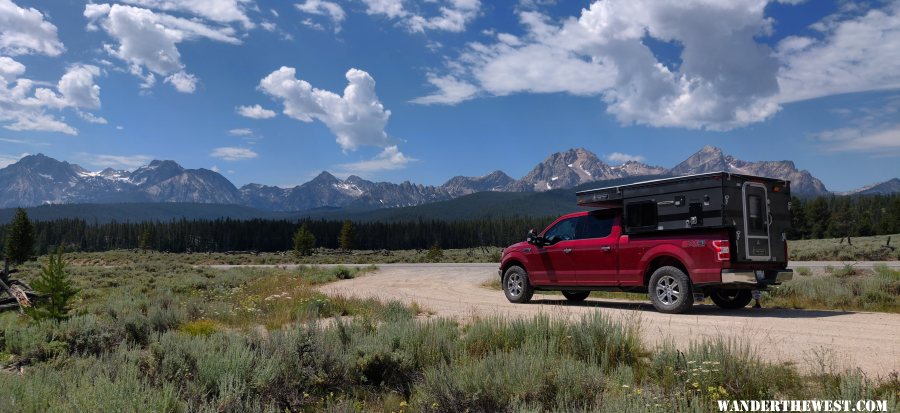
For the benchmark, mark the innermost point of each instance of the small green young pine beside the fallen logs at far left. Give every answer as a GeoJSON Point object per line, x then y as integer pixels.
{"type": "Point", "coordinates": [56, 290]}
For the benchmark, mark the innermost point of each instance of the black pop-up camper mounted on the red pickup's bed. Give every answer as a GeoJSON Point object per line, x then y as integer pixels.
{"type": "Point", "coordinates": [756, 210]}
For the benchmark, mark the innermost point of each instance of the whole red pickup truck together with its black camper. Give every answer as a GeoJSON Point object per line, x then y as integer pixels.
{"type": "Point", "coordinates": [640, 242]}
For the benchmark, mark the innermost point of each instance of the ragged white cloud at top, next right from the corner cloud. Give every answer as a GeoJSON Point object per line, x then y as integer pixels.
{"type": "Point", "coordinates": [147, 41]}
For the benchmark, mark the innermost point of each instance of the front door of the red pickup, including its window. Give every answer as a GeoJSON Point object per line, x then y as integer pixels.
{"type": "Point", "coordinates": [555, 261]}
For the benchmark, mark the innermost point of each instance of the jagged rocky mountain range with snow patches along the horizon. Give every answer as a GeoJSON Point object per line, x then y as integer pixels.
{"type": "Point", "coordinates": [41, 180]}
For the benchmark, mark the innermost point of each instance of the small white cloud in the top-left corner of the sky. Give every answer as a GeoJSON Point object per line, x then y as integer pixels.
{"type": "Point", "coordinates": [24, 31]}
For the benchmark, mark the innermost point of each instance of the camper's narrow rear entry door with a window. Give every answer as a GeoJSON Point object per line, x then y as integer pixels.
{"type": "Point", "coordinates": [756, 222]}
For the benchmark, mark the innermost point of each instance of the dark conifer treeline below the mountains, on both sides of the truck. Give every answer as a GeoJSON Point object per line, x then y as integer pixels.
{"type": "Point", "coordinates": [823, 217]}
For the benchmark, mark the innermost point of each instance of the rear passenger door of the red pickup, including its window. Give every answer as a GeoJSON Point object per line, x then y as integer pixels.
{"type": "Point", "coordinates": [595, 254]}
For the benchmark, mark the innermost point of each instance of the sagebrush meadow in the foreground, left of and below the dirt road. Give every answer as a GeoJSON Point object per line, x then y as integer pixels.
{"type": "Point", "coordinates": [170, 337]}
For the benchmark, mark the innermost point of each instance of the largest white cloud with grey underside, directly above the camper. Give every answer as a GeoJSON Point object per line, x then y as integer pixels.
{"type": "Point", "coordinates": [726, 78]}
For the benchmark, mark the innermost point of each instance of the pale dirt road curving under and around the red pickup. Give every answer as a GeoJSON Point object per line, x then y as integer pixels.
{"type": "Point", "coordinates": [870, 341]}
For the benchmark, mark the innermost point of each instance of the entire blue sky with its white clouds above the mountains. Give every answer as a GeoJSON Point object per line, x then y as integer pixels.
{"type": "Point", "coordinates": [439, 88]}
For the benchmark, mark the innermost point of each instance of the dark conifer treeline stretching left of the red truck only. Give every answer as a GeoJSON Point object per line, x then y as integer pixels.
{"type": "Point", "coordinates": [275, 235]}
